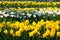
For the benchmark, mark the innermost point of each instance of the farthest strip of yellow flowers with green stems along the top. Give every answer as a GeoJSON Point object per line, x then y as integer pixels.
{"type": "Point", "coordinates": [28, 4]}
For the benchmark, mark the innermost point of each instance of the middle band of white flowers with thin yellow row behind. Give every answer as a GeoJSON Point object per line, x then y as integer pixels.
{"type": "Point", "coordinates": [30, 14]}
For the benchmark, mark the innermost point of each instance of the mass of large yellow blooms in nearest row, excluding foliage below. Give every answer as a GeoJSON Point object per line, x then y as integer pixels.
{"type": "Point", "coordinates": [17, 28]}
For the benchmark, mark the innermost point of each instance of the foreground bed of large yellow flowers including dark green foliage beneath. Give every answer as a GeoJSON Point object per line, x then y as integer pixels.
{"type": "Point", "coordinates": [46, 30]}
